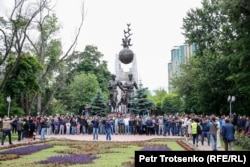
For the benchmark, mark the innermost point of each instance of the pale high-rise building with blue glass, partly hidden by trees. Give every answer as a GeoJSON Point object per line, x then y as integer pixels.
{"type": "Point", "coordinates": [179, 55]}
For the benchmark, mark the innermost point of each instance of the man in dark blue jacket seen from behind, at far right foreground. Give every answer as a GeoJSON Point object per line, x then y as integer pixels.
{"type": "Point", "coordinates": [228, 137]}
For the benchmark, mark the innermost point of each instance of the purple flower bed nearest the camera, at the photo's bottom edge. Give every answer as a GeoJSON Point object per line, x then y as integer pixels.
{"type": "Point", "coordinates": [69, 159]}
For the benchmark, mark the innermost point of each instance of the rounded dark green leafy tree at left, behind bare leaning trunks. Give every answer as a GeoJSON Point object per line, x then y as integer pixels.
{"type": "Point", "coordinates": [23, 82]}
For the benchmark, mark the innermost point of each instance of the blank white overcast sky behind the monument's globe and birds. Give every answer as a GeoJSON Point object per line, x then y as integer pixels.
{"type": "Point", "coordinates": [156, 28]}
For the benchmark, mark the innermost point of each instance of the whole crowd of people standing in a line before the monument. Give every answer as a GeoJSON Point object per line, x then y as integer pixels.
{"type": "Point", "coordinates": [209, 129]}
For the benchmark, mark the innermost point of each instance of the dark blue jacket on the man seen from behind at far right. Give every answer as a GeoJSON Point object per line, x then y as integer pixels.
{"type": "Point", "coordinates": [228, 131]}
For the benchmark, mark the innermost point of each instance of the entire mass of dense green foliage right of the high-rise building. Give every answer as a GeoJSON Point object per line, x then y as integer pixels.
{"type": "Point", "coordinates": [219, 67]}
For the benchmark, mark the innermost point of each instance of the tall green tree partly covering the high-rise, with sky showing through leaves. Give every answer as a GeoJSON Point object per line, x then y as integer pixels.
{"type": "Point", "coordinates": [205, 86]}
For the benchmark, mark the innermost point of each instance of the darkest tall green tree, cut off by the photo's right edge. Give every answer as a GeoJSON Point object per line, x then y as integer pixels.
{"type": "Point", "coordinates": [238, 33]}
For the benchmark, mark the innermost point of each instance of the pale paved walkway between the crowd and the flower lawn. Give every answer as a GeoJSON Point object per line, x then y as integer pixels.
{"type": "Point", "coordinates": [115, 138]}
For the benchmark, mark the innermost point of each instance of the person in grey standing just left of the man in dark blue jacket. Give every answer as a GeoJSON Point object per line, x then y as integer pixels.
{"type": "Point", "coordinates": [213, 133]}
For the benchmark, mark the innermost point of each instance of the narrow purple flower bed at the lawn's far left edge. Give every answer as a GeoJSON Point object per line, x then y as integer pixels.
{"type": "Point", "coordinates": [27, 150]}
